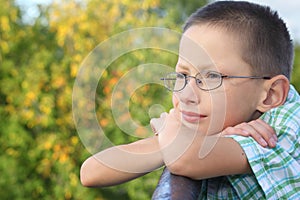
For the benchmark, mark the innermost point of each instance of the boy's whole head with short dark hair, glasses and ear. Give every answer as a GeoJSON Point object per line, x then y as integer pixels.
{"type": "Point", "coordinates": [236, 40]}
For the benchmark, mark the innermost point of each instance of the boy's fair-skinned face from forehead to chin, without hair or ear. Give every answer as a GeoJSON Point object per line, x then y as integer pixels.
{"type": "Point", "coordinates": [235, 101]}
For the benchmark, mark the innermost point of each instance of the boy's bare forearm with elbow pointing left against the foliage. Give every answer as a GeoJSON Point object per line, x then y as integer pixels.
{"type": "Point", "coordinates": [122, 163]}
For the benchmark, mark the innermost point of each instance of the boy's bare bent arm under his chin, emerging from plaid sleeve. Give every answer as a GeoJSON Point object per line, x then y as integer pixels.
{"type": "Point", "coordinates": [198, 156]}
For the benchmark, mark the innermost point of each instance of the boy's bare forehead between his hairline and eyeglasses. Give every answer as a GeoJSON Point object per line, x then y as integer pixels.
{"type": "Point", "coordinates": [204, 46]}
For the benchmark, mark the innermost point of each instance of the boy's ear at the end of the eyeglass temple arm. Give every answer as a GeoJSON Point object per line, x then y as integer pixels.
{"type": "Point", "coordinates": [274, 93]}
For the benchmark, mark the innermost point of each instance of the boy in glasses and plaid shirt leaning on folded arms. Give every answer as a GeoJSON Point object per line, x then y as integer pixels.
{"type": "Point", "coordinates": [242, 83]}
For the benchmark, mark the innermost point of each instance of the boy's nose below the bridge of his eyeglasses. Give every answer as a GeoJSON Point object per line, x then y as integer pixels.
{"type": "Point", "coordinates": [190, 94]}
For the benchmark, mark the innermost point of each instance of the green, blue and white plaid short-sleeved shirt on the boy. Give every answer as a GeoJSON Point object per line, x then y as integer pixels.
{"type": "Point", "coordinates": [276, 171]}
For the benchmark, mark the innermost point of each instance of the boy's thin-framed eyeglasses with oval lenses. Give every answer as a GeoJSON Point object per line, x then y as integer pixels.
{"type": "Point", "coordinates": [208, 80]}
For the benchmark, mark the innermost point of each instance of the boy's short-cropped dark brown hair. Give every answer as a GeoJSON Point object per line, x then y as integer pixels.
{"type": "Point", "coordinates": [265, 43]}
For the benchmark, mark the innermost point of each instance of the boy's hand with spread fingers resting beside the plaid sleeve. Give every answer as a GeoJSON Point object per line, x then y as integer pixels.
{"type": "Point", "coordinates": [259, 130]}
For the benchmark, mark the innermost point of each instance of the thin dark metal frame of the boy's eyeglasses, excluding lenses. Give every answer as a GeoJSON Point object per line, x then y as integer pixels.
{"type": "Point", "coordinates": [222, 76]}
